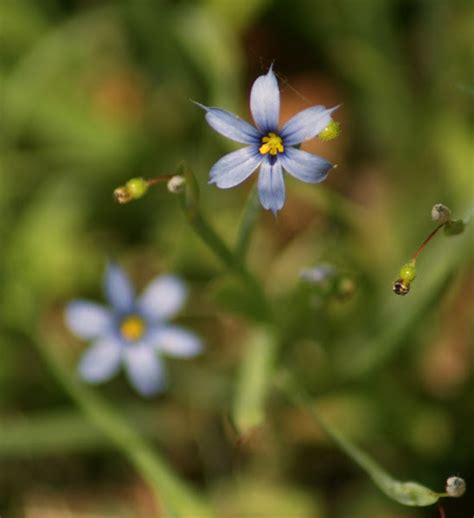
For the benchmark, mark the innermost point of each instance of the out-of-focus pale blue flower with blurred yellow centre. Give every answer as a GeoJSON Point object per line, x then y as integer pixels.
{"type": "Point", "coordinates": [134, 331]}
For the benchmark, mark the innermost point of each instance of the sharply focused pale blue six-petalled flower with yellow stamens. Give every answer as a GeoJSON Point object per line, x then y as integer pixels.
{"type": "Point", "coordinates": [270, 148]}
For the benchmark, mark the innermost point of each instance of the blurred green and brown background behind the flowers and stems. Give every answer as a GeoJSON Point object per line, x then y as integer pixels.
{"type": "Point", "coordinates": [93, 93]}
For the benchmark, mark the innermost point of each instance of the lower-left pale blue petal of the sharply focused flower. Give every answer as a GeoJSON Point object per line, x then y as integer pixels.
{"type": "Point", "coordinates": [235, 167]}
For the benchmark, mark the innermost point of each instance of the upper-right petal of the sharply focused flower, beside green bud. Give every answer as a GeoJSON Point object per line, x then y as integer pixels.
{"type": "Point", "coordinates": [306, 125]}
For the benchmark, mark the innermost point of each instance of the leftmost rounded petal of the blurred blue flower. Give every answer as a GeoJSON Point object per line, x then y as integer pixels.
{"type": "Point", "coordinates": [87, 320]}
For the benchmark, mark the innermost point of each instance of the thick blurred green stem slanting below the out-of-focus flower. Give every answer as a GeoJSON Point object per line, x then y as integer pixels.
{"type": "Point", "coordinates": [167, 486]}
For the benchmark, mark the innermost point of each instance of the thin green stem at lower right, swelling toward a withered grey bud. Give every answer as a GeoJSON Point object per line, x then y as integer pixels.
{"type": "Point", "coordinates": [406, 493]}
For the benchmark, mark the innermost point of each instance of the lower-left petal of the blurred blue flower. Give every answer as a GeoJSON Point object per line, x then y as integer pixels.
{"type": "Point", "coordinates": [101, 361]}
